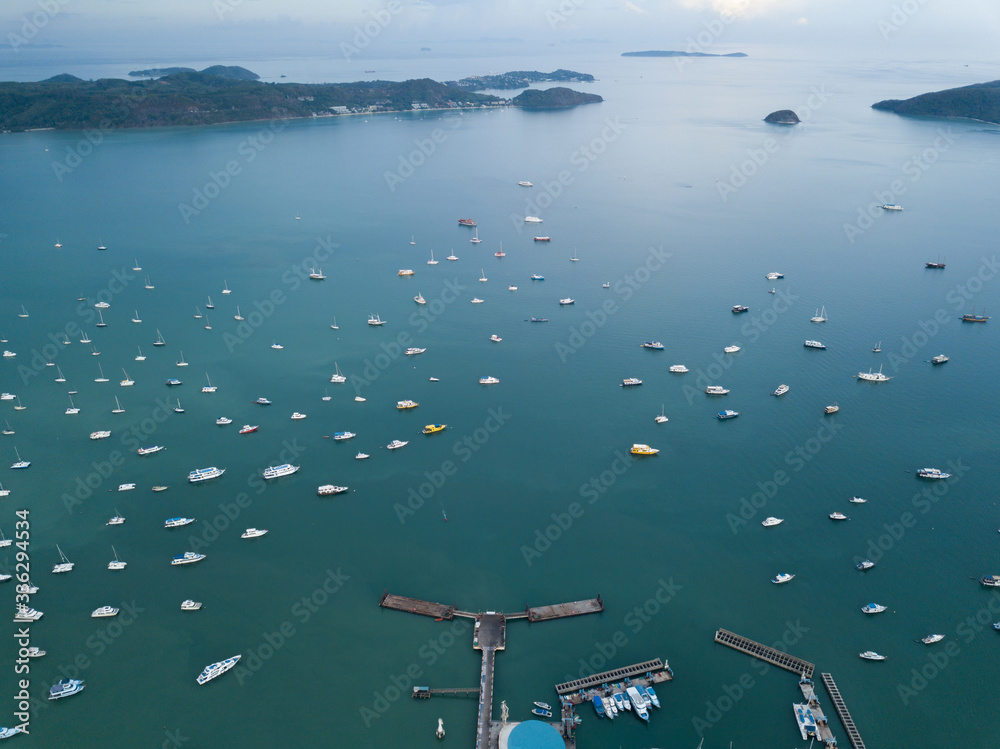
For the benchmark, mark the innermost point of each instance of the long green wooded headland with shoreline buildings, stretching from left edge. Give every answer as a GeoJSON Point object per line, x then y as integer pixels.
{"type": "Point", "coordinates": [65, 102]}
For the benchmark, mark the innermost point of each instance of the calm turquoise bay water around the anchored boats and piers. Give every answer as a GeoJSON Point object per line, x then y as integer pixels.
{"type": "Point", "coordinates": [629, 186]}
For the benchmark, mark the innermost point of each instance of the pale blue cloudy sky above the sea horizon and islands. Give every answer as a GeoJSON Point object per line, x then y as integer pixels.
{"type": "Point", "coordinates": [174, 29]}
